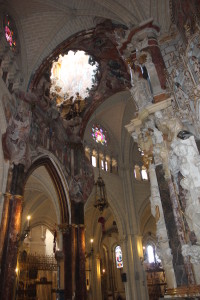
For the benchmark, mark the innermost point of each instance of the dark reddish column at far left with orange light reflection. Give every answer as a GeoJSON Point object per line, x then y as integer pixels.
{"type": "Point", "coordinates": [12, 236]}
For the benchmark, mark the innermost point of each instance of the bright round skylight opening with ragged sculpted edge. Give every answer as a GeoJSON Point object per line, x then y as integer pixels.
{"type": "Point", "coordinates": [73, 73]}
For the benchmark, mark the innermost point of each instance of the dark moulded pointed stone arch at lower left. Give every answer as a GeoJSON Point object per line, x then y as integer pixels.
{"type": "Point", "coordinates": [59, 182]}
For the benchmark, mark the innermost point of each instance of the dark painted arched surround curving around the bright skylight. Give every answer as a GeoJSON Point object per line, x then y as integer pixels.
{"type": "Point", "coordinates": [112, 76]}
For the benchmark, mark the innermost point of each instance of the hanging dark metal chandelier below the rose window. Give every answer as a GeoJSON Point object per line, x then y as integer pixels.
{"type": "Point", "coordinates": [100, 195]}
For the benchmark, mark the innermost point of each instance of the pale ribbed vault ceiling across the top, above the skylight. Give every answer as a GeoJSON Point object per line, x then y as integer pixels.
{"type": "Point", "coordinates": [43, 25]}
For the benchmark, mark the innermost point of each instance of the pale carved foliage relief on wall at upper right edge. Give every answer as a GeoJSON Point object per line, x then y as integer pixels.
{"type": "Point", "coordinates": [184, 84]}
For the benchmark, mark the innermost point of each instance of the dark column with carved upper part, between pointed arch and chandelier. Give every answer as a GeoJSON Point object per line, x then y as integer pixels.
{"type": "Point", "coordinates": [82, 175]}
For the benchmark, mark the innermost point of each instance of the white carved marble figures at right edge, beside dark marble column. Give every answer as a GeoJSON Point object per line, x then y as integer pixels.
{"type": "Point", "coordinates": [186, 159]}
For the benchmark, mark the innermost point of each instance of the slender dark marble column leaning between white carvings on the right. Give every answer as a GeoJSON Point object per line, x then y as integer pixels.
{"type": "Point", "coordinates": [174, 240]}
